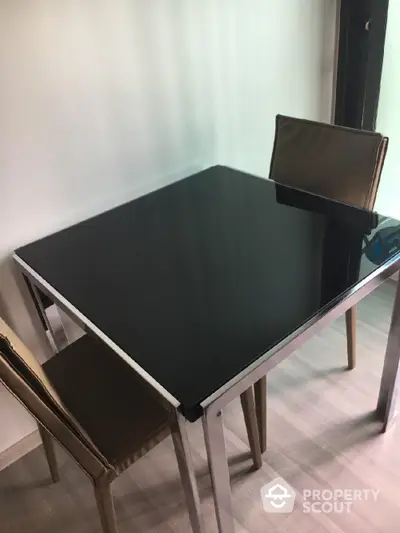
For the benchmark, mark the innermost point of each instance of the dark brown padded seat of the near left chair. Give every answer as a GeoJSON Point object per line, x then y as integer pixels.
{"type": "Point", "coordinates": [117, 409]}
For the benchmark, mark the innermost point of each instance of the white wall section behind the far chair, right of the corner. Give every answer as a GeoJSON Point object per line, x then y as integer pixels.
{"type": "Point", "coordinates": [277, 58]}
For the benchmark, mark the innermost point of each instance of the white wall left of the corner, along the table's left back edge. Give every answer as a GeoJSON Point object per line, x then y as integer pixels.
{"type": "Point", "coordinates": [97, 100]}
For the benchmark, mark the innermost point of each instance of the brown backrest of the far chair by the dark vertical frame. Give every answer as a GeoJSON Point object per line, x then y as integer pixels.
{"type": "Point", "coordinates": [338, 163]}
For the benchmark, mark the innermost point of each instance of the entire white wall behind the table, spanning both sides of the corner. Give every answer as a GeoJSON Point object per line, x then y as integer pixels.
{"type": "Point", "coordinates": [103, 100]}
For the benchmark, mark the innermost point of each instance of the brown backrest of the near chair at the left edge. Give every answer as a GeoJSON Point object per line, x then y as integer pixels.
{"type": "Point", "coordinates": [24, 377]}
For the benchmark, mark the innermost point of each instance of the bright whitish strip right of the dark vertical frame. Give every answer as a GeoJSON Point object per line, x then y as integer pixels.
{"type": "Point", "coordinates": [388, 120]}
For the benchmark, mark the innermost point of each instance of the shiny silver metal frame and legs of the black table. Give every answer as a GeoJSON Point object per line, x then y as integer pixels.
{"type": "Point", "coordinates": [213, 406]}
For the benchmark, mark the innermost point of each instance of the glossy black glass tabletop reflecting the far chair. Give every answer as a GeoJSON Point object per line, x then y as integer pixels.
{"type": "Point", "coordinates": [197, 280]}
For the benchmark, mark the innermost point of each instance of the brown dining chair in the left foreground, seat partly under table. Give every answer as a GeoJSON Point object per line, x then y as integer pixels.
{"type": "Point", "coordinates": [103, 414]}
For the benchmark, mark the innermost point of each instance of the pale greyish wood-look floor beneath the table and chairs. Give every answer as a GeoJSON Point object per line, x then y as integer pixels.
{"type": "Point", "coordinates": [321, 435]}
